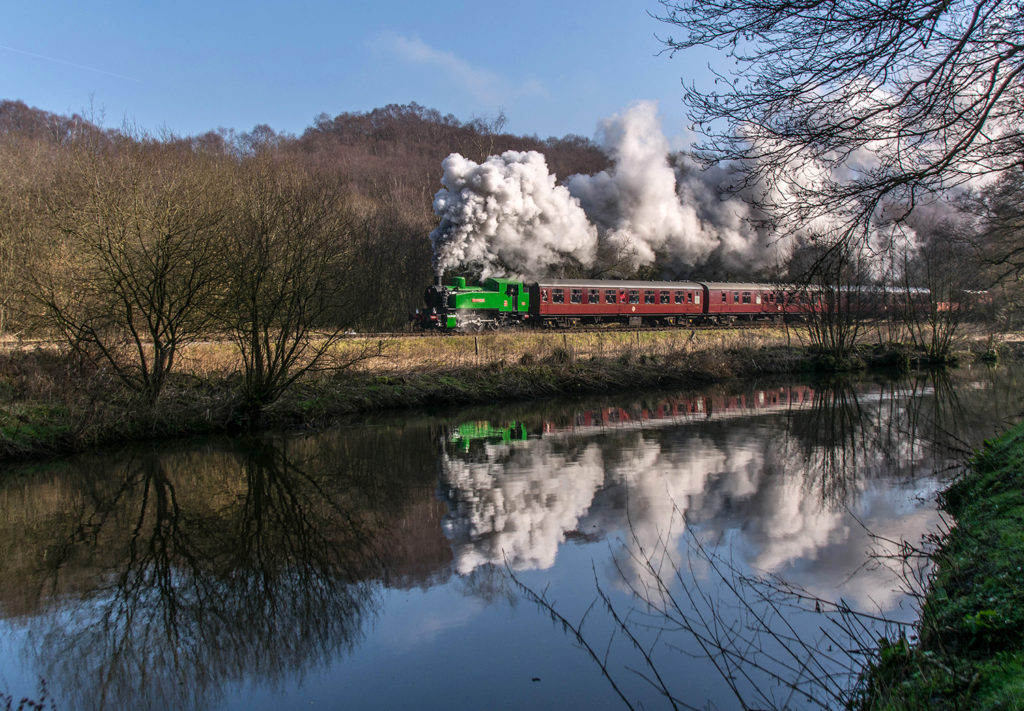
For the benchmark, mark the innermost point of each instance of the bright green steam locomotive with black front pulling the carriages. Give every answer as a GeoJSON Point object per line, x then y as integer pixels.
{"type": "Point", "coordinates": [496, 304]}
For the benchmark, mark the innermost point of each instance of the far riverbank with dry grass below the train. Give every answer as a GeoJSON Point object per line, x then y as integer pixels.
{"type": "Point", "coordinates": [54, 406]}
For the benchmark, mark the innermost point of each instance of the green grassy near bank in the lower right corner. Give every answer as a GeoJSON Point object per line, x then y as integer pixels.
{"type": "Point", "coordinates": [970, 652]}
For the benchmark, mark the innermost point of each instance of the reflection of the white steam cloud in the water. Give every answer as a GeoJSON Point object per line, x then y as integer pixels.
{"type": "Point", "coordinates": [786, 496]}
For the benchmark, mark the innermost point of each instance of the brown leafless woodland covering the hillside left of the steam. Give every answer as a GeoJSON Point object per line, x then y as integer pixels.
{"type": "Point", "coordinates": [88, 213]}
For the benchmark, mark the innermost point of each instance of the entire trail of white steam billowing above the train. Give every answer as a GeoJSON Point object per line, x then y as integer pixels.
{"type": "Point", "coordinates": [510, 217]}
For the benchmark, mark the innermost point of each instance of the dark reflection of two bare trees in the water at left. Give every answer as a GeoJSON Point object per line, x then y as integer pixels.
{"type": "Point", "coordinates": [200, 593]}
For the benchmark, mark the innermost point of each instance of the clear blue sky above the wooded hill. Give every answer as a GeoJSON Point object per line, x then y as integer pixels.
{"type": "Point", "coordinates": [553, 67]}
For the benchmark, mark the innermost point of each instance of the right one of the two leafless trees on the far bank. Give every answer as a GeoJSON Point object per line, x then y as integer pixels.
{"type": "Point", "coordinates": [287, 258]}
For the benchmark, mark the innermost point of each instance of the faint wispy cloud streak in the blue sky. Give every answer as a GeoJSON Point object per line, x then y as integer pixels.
{"type": "Point", "coordinates": [486, 87]}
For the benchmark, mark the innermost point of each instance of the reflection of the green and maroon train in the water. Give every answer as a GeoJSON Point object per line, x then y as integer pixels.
{"type": "Point", "coordinates": [470, 436]}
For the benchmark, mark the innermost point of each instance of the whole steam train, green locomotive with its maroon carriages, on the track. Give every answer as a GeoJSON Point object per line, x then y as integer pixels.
{"type": "Point", "coordinates": [501, 303]}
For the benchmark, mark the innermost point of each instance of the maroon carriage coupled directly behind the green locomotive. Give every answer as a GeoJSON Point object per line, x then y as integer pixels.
{"type": "Point", "coordinates": [570, 302]}
